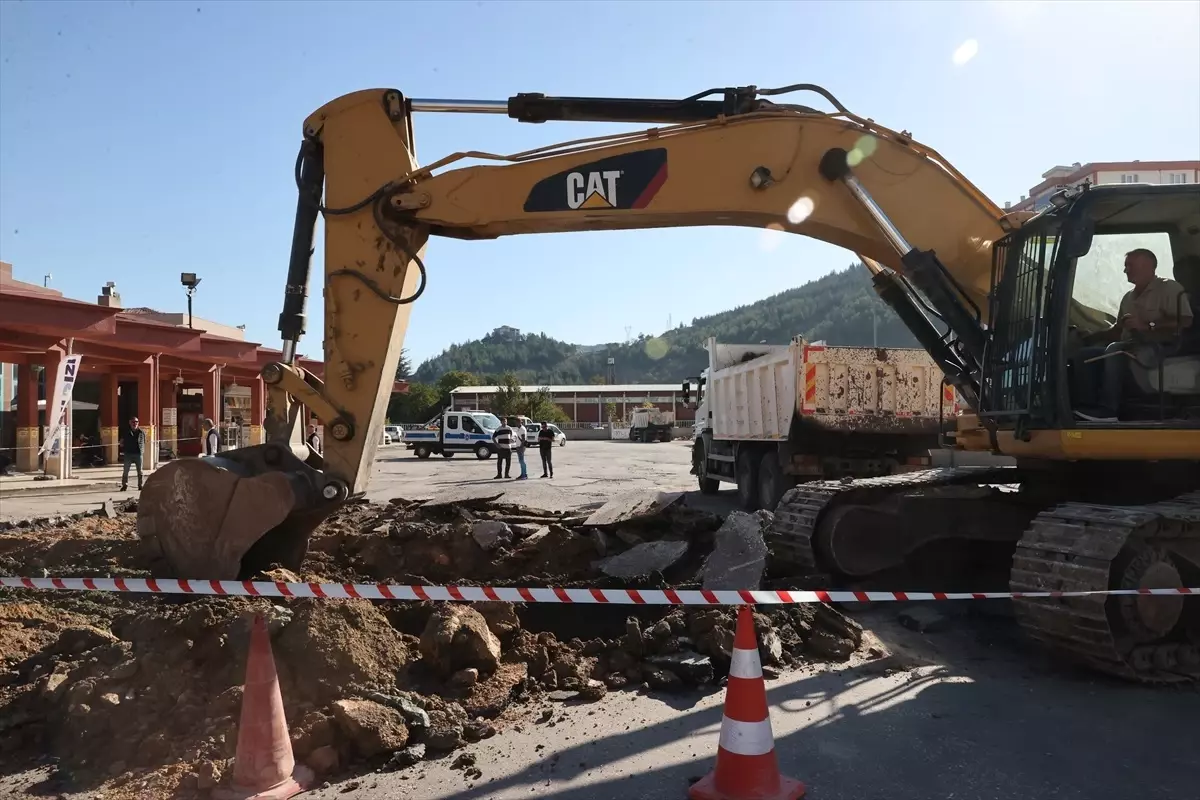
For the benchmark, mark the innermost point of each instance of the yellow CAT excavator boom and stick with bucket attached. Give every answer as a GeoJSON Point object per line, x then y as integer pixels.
{"type": "Point", "coordinates": [736, 161]}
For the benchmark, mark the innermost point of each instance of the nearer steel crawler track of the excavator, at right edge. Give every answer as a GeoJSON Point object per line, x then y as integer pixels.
{"type": "Point", "coordinates": [1081, 548]}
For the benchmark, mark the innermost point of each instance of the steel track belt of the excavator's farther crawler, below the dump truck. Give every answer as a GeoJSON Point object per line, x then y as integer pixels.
{"type": "Point", "coordinates": [800, 513]}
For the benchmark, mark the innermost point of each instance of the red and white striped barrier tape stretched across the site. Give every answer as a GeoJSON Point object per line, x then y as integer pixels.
{"type": "Point", "coordinates": [541, 596]}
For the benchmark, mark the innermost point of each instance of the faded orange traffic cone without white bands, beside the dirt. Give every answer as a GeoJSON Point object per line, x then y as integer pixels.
{"type": "Point", "coordinates": [265, 768]}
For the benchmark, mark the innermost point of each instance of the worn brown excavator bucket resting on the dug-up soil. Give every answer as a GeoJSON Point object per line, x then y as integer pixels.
{"type": "Point", "coordinates": [231, 516]}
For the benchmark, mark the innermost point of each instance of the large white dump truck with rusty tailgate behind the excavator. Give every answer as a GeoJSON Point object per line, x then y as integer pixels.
{"type": "Point", "coordinates": [770, 417]}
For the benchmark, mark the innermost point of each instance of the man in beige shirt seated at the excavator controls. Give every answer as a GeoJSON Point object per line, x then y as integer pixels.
{"type": "Point", "coordinates": [1154, 312]}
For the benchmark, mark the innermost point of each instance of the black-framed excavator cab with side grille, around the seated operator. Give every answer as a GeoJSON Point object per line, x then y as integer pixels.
{"type": "Point", "coordinates": [1059, 279]}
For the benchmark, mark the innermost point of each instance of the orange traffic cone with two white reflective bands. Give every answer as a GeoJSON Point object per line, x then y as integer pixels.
{"type": "Point", "coordinates": [746, 756]}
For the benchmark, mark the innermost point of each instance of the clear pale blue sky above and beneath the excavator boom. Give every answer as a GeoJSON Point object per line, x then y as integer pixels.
{"type": "Point", "coordinates": [143, 140]}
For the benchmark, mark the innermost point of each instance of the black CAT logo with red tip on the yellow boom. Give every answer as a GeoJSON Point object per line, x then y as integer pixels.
{"type": "Point", "coordinates": [626, 183]}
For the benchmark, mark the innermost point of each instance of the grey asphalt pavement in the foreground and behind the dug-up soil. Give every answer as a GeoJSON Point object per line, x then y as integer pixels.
{"type": "Point", "coordinates": [971, 713]}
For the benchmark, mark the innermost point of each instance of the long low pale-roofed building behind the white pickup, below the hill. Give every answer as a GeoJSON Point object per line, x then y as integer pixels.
{"type": "Point", "coordinates": [590, 404]}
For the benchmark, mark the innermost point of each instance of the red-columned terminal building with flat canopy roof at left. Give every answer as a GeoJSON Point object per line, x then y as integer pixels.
{"type": "Point", "coordinates": [169, 370]}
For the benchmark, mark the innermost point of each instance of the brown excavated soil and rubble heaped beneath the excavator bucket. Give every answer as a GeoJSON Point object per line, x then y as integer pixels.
{"type": "Point", "coordinates": [139, 696]}
